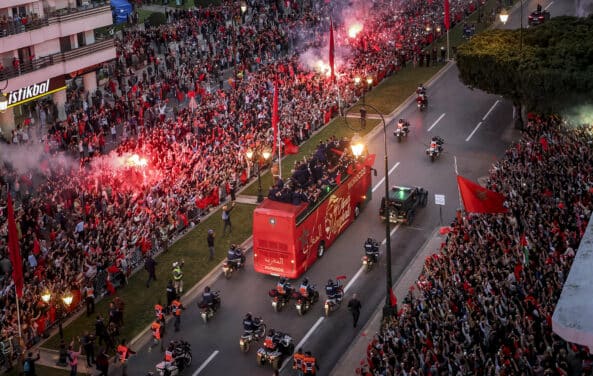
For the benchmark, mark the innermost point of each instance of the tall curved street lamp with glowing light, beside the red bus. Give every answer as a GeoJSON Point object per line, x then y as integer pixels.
{"type": "Point", "coordinates": [357, 147]}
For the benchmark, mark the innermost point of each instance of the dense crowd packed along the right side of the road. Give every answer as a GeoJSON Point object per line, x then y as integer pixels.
{"type": "Point", "coordinates": [483, 304]}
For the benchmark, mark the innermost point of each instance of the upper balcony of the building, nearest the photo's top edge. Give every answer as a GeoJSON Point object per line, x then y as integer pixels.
{"type": "Point", "coordinates": [56, 23]}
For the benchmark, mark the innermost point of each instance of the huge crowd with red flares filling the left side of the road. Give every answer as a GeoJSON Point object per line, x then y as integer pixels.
{"type": "Point", "coordinates": [89, 224]}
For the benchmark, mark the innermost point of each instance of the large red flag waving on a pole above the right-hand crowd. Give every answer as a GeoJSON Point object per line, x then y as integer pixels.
{"type": "Point", "coordinates": [477, 199]}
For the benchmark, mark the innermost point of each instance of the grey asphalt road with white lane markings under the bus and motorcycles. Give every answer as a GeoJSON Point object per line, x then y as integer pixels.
{"type": "Point", "coordinates": [476, 128]}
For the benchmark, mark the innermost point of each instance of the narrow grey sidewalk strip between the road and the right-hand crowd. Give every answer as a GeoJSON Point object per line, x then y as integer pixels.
{"type": "Point", "coordinates": [350, 360]}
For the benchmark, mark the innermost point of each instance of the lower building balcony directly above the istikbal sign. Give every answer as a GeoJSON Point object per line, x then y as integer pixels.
{"type": "Point", "coordinates": [60, 63]}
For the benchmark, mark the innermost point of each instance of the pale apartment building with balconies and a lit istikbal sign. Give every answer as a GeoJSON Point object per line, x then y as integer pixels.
{"type": "Point", "coordinates": [44, 44]}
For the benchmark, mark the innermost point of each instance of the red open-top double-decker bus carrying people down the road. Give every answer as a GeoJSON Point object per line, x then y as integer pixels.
{"type": "Point", "coordinates": [288, 239]}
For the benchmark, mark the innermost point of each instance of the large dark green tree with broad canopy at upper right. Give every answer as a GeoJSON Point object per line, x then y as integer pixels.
{"type": "Point", "coordinates": [553, 70]}
